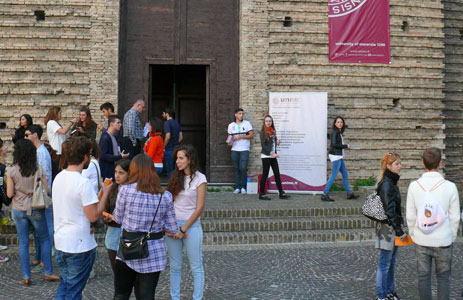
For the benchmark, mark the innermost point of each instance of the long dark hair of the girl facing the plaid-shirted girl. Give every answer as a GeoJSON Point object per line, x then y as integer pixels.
{"type": "Point", "coordinates": [177, 181]}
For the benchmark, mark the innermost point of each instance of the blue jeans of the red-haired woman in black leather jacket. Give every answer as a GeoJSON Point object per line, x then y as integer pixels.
{"type": "Point", "coordinates": [385, 272]}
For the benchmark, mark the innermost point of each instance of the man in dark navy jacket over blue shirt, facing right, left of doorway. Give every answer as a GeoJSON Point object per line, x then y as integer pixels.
{"type": "Point", "coordinates": [110, 149]}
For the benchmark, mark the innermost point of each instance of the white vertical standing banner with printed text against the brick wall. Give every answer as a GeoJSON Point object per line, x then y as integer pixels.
{"type": "Point", "coordinates": [300, 121]}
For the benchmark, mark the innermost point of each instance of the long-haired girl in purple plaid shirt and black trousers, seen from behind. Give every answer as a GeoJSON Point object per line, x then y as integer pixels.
{"type": "Point", "coordinates": [135, 208]}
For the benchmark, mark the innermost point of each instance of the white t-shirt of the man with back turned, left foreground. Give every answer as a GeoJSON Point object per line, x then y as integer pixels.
{"type": "Point", "coordinates": [71, 192]}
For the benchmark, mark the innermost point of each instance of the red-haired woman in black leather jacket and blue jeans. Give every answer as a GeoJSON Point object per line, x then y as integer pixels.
{"type": "Point", "coordinates": [386, 231]}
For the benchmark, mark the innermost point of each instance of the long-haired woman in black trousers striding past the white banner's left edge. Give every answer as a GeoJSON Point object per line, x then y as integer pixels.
{"type": "Point", "coordinates": [269, 142]}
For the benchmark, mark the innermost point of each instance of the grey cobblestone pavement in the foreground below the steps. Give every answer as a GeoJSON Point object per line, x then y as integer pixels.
{"type": "Point", "coordinates": [256, 272]}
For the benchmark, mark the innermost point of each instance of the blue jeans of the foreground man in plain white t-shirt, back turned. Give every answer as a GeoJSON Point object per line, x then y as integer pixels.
{"type": "Point", "coordinates": [75, 269]}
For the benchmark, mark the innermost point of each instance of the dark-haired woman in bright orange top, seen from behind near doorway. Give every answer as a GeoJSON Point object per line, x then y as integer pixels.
{"type": "Point", "coordinates": [154, 145]}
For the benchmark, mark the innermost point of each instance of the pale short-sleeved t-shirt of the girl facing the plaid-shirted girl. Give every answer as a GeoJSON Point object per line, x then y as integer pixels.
{"type": "Point", "coordinates": [186, 201]}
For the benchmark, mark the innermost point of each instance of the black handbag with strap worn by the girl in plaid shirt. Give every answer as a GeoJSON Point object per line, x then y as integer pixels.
{"type": "Point", "coordinates": [137, 248]}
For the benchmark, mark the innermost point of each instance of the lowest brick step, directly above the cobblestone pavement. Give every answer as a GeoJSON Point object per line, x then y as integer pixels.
{"type": "Point", "coordinates": [296, 236]}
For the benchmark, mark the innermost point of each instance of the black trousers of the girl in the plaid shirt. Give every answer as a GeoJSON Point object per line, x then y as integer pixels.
{"type": "Point", "coordinates": [125, 279]}
